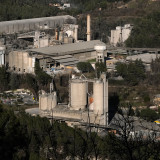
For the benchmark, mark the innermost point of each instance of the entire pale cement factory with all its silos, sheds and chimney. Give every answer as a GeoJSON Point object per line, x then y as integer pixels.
{"type": "Point", "coordinates": [54, 43]}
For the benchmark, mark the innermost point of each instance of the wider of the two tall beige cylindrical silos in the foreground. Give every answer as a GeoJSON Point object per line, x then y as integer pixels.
{"type": "Point", "coordinates": [78, 94]}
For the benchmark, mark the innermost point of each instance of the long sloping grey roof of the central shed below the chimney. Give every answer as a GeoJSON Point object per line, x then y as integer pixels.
{"type": "Point", "coordinates": [71, 48]}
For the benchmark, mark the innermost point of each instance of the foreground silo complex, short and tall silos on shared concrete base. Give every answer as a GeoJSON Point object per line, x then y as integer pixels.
{"type": "Point", "coordinates": [79, 111]}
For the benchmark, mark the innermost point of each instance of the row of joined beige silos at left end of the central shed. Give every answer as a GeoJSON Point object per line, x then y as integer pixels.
{"type": "Point", "coordinates": [21, 62]}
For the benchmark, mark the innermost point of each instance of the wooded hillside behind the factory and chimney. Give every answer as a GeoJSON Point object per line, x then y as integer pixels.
{"type": "Point", "coordinates": [105, 15]}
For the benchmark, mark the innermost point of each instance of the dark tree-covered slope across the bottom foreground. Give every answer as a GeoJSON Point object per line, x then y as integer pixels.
{"type": "Point", "coordinates": [26, 137]}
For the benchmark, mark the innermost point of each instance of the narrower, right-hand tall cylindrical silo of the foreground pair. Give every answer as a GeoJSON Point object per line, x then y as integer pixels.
{"type": "Point", "coordinates": [98, 97]}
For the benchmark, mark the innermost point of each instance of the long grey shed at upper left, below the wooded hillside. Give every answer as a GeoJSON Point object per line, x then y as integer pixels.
{"type": "Point", "coordinates": [26, 25]}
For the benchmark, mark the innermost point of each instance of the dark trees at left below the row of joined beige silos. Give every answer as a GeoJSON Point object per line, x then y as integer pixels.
{"type": "Point", "coordinates": [32, 82]}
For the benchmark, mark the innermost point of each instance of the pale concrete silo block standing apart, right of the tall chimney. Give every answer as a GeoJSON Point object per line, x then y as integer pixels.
{"type": "Point", "coordinates": [120, 35]}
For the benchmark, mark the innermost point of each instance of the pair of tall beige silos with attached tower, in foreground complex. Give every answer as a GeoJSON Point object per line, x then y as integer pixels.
{"type": "Point", "coordinates": [98, 103]}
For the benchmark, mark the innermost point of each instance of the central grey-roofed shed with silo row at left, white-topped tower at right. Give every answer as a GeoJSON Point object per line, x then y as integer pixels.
{"type": "Point", "coordinates": [55, 56]}
